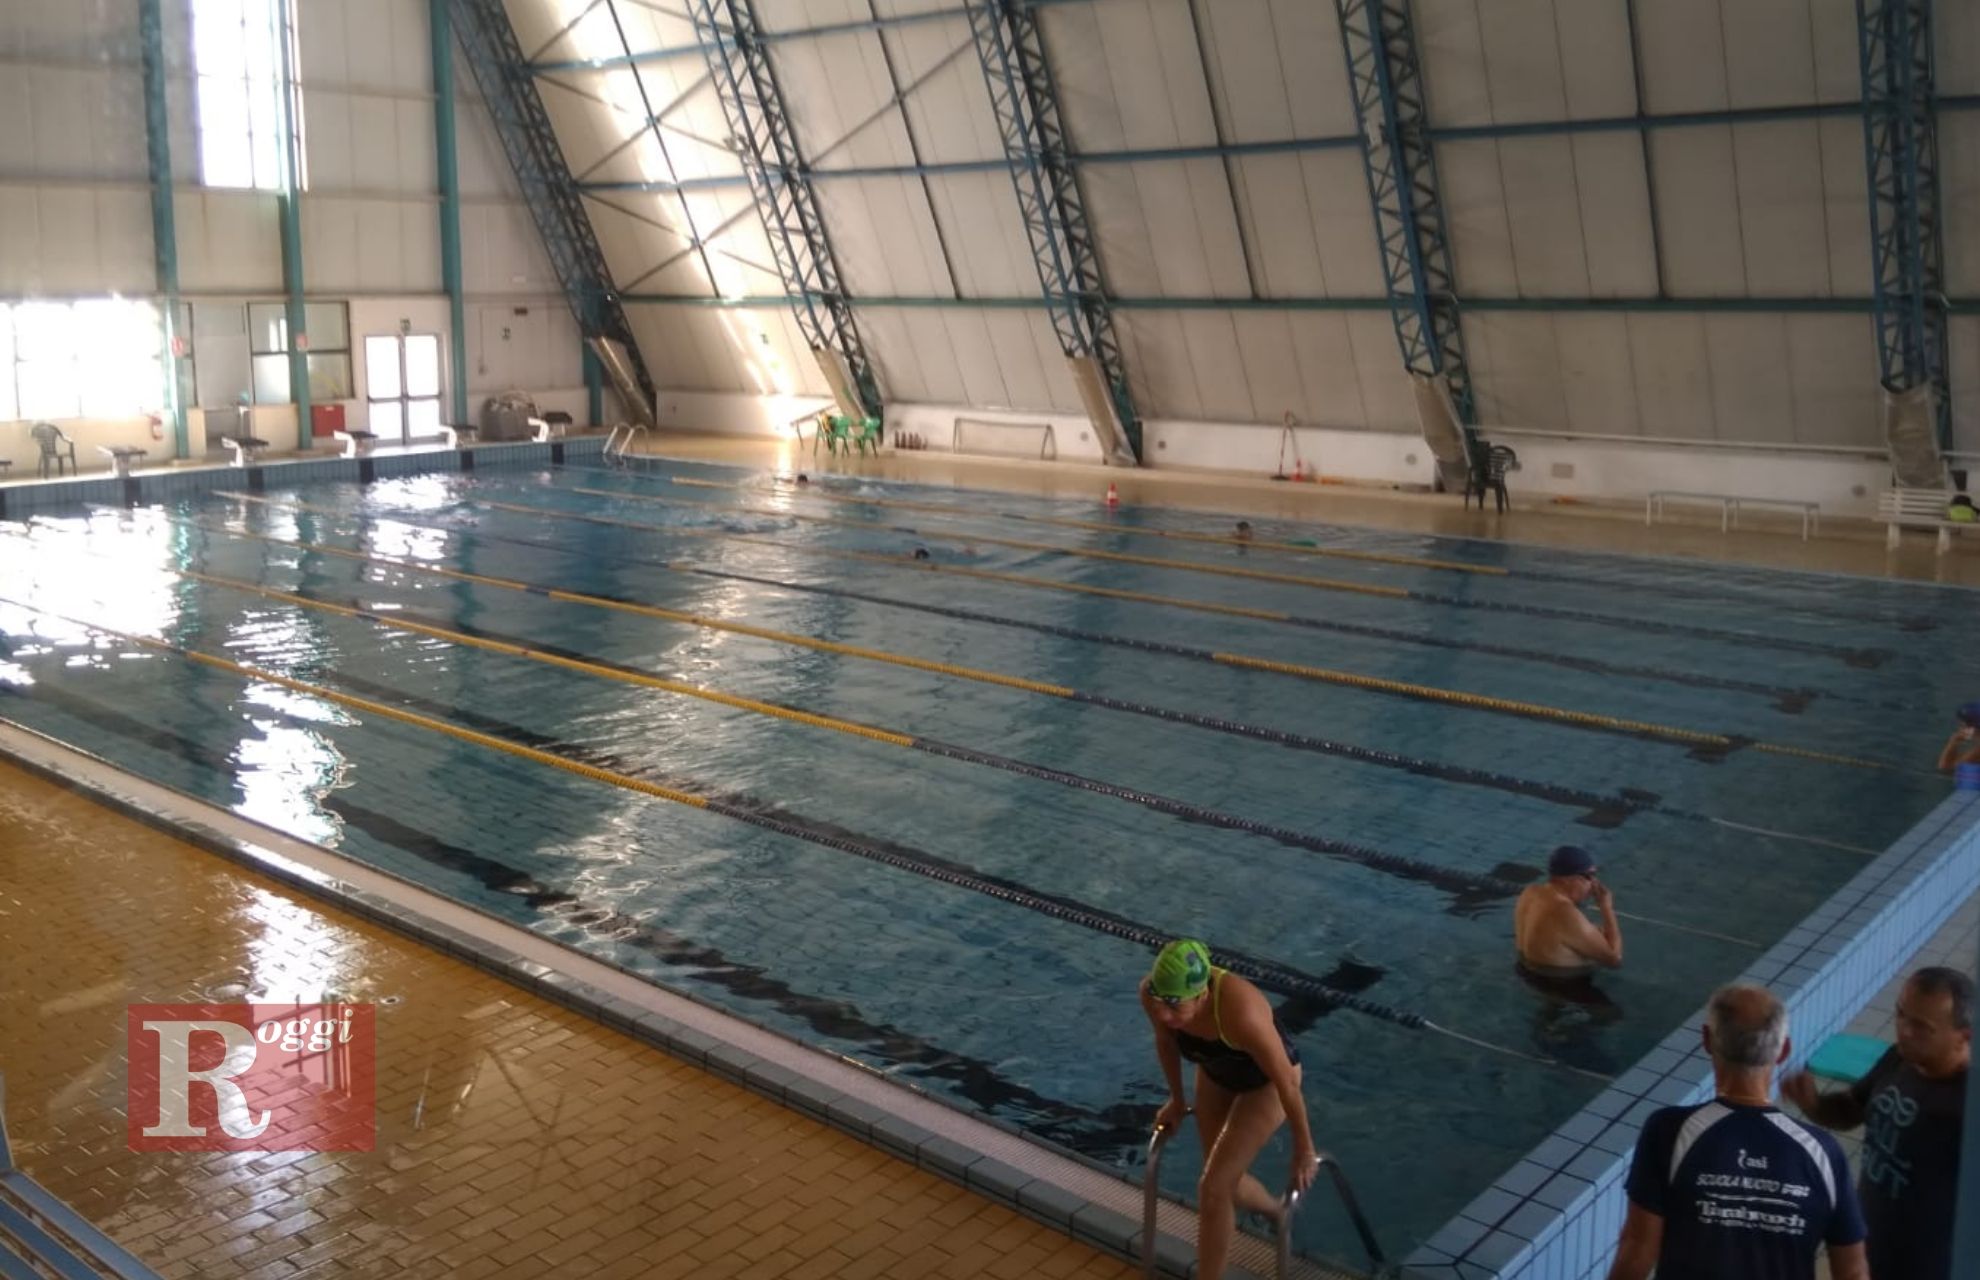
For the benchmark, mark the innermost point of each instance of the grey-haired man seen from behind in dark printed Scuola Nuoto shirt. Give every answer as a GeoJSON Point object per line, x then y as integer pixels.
{"type": "Point", "coordinates": [1735, 1190]}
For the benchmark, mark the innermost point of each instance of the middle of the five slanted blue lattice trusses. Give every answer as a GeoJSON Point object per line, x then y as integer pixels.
{"type": "Point", "coordinates": [1027, 104]}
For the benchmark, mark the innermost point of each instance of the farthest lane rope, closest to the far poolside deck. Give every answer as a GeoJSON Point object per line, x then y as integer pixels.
{"type": "Point", "coordinates": [1910, 623]}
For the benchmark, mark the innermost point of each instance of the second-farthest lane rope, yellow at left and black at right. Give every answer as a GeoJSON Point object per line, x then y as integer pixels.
{"type": "Point", "coordinates": [1848, 655]}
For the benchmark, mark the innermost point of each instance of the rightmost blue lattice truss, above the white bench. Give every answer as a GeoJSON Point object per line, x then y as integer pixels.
{"type": "Point", "coordinates": [1902, 163]}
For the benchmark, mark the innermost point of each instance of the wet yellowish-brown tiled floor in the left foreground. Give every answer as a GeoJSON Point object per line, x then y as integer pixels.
{"type": "Point", "coordinates": [516, 1138]}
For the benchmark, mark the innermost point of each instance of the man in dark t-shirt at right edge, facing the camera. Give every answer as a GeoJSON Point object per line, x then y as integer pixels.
{"type": "Point", "coordinates": [1912, 1109]}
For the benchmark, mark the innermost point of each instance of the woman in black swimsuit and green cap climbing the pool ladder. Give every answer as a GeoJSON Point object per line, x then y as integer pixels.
{"type": "Point", "coordinates": [1246, 1087]}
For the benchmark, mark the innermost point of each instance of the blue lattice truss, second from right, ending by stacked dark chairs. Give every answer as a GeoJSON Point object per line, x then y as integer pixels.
{"type": "Point", "coordinates": [1403, 189]}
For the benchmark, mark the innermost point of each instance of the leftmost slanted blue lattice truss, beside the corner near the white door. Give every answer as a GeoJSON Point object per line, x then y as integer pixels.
{"type": "Point", "coordinates": [538, 160]}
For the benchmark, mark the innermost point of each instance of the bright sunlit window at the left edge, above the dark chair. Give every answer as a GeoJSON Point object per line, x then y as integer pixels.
{"type": "Point", "coordinates": [86, 360]}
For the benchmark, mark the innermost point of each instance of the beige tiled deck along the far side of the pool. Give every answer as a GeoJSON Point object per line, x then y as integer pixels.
{"type": "Point", "coordinates": [1844, 546]}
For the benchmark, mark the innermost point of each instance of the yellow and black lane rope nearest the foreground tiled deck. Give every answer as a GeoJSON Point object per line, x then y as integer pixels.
{"type": "Point", "coordinates": [1270, 976]}
